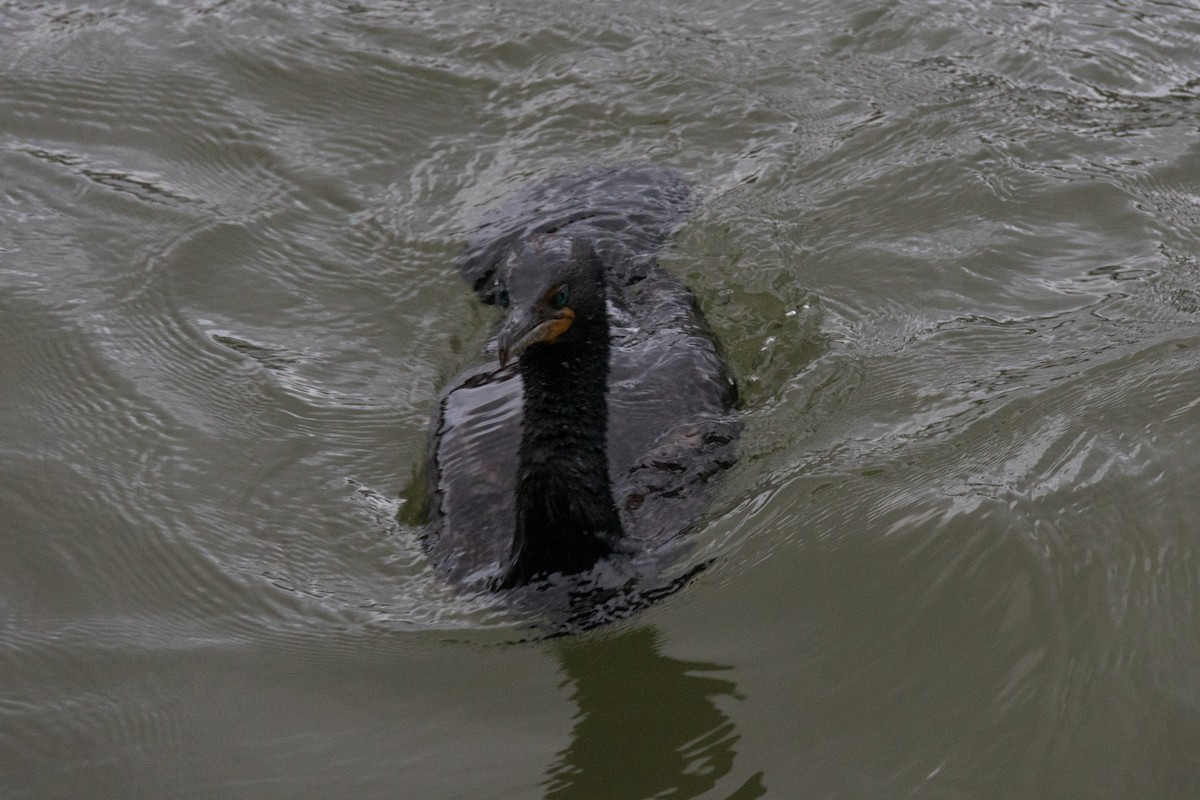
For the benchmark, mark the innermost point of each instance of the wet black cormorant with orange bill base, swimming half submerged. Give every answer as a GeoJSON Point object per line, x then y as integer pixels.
{"type": "Point", "coordinates": [604, 410]}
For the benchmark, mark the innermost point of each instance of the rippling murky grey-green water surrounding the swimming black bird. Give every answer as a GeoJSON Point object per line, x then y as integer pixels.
{"type": "Point", "coordinates": [951, 251]}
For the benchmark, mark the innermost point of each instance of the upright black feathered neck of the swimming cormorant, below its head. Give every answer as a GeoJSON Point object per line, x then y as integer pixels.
{"type": "Point", "coordinates": [566, 519]}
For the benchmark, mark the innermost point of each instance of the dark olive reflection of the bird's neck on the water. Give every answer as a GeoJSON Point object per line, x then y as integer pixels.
{"type": "Point", "coordinates": [647, 725]}
